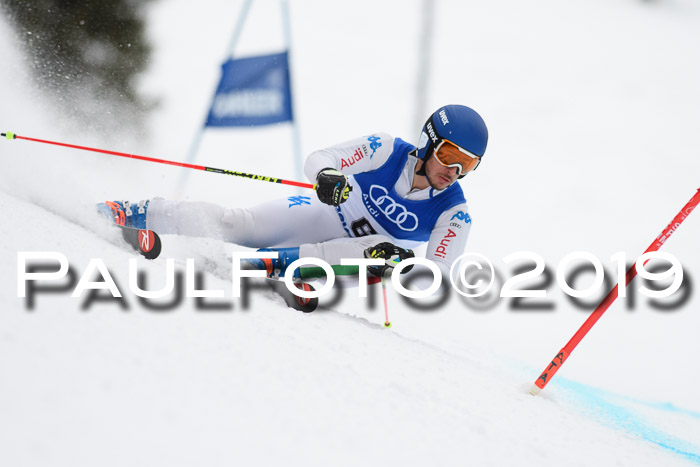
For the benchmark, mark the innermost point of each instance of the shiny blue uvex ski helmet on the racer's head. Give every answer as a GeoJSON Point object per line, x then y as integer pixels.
{"type": "Point", "coordinates": [458, 124]}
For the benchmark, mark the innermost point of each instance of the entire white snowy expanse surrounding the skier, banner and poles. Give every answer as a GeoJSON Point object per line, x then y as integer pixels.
{"type": "Point", "coordinates": [592, 109]}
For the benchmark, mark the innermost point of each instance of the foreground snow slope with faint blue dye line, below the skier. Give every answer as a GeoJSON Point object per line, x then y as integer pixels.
{"type": "Point", "coordinates": [269, 385]}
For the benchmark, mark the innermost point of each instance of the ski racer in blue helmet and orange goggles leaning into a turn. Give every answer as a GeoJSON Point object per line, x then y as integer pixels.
{"type": "Point", "coordinates": [377, 196]}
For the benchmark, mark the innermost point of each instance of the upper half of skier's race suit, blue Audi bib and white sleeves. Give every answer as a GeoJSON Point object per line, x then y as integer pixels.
{"type": "Point", "coordinates": [381, 170]}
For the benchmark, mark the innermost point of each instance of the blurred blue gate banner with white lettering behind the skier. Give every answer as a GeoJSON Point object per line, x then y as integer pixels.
{"type": "Point", "coordinates": [252, 91]}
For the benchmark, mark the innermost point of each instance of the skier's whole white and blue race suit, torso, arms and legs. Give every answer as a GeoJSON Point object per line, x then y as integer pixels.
{"type": "Point", "coordinates": [382, 207]}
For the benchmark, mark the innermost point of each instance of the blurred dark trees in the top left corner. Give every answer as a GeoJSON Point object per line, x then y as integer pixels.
{"type": "Point", "coordinates": [85, 54]}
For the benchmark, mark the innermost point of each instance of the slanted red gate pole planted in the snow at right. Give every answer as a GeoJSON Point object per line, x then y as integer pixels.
{"type": "Point", "coordinates": [559, 359]}
